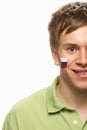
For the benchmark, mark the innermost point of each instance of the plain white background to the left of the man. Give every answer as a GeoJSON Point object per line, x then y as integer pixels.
{"type": "Point", "coordinates": [26, 64]}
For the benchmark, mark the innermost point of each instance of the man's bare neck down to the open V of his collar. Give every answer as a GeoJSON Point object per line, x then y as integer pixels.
{"type": "Point", "coordinates": [74, 100]}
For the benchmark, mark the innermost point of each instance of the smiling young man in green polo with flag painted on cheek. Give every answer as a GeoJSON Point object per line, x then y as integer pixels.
{"type": "Point", "coordinates": [63, 105]}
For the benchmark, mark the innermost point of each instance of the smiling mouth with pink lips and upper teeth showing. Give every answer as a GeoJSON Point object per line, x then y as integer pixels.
{"type": "Point", "coordinates": [80, 73]}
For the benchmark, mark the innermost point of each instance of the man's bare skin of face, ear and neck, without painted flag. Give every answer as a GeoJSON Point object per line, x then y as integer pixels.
{"type": "Point", "coordinates": [72, 88]}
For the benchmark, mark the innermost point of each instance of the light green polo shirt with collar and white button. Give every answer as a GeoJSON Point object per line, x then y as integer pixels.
{"type": "Point", "coordinates": [43, 111]}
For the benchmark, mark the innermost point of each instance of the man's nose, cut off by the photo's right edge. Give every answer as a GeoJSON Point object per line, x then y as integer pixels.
{"type": "Point", "coordinates": [82, 59]}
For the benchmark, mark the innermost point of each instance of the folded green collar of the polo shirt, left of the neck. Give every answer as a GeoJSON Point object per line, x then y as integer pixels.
{"type": "Point", "coordinates": [53, 104]}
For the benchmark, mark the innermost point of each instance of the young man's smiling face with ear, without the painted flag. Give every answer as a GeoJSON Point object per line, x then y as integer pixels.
{"type": "Point", "coordinates": [73, 46]}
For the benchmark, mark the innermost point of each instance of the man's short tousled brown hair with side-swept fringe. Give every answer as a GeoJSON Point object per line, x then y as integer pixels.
{"type": "Point", "coordinates": [69, 17]}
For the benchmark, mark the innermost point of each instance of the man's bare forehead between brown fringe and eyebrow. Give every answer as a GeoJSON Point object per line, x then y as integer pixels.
{"type": "Point", "coordinates": [77, 36]}
